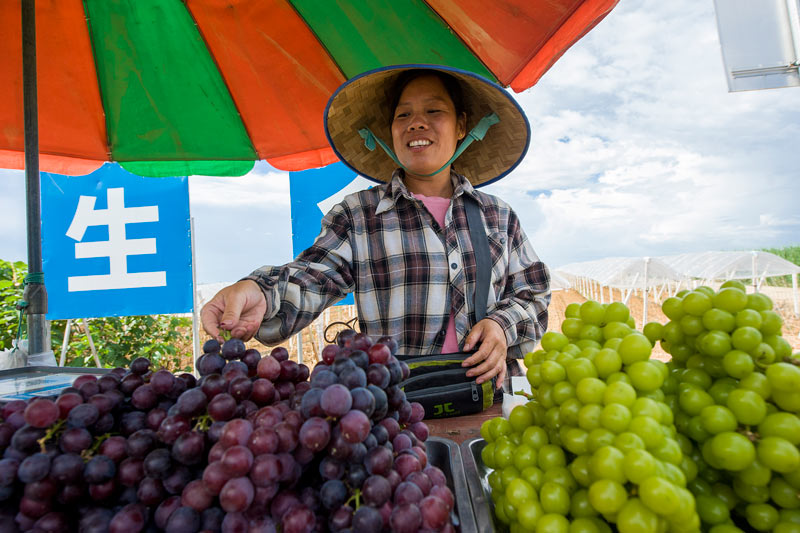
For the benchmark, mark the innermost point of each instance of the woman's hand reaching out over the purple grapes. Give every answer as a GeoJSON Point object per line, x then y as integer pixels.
{"type": "Point", "coordinates": [238, 308]}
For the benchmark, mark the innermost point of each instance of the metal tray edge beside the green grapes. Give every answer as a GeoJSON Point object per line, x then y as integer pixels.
{"type": "Point", "coordinates": [477, 475]}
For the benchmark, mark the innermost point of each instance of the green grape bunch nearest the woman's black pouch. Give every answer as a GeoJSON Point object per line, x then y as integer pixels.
{"type": "Point", "coordinates": [596, 448]}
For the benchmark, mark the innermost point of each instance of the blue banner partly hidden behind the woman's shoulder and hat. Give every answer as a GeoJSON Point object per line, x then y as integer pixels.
{"type": "Point", "coordinates": [312, 193]}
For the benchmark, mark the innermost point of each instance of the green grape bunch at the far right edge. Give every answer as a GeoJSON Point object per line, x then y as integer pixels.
{"type": "Point", "coordinates": [734, 388]}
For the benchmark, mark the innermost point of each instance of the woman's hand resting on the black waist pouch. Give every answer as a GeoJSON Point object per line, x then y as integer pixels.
{"type": "Point", "coordinates": [491, 354]}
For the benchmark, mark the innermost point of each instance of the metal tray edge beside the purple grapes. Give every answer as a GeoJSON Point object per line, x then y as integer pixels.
{"type": "Point", "coordinates": [445, 454]}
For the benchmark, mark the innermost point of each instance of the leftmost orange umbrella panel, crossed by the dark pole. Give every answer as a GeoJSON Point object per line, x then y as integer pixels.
{"type": "Point", "coordinates": [72, 128]}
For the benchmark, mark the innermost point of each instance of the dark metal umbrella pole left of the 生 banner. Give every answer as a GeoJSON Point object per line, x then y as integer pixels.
{"type": "Point", "coordinates": [35, 294]}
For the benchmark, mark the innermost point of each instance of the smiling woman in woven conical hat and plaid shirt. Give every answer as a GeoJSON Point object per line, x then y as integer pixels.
{"type": "Point", "coordinates": [404, 247]}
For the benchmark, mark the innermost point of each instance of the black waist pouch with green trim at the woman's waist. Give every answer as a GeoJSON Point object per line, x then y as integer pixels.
{"type": "Point", "coordinates": [441, 385]}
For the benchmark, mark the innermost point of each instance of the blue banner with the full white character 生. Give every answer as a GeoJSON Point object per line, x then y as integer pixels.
{"type": "Point", "coordinates": [116, 244]}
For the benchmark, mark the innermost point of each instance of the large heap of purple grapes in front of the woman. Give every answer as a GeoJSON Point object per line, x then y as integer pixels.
{"type": "Point", "coordinates": [255, 444]}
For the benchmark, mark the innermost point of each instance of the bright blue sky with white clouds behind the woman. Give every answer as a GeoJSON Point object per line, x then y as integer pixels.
{"type": "Point", "coordinates": [637, 149]}
